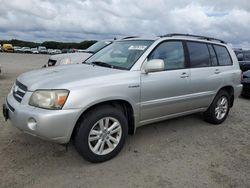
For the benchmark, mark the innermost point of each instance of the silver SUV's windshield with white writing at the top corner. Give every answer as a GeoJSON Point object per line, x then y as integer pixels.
{"type": "Point", "coordinates": [120, 54]}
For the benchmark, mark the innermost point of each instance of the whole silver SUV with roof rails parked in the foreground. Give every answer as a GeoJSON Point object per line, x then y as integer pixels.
{"type": "Point", "coordinates": [130, 83]}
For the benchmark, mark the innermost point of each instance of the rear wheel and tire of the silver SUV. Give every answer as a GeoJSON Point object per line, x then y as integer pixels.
{"type": "Point", "coordinates": [212, 113]}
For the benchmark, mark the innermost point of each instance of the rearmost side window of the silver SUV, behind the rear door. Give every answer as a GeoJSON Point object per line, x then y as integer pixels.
{"type": "Point", "coordinates": [223, 55]}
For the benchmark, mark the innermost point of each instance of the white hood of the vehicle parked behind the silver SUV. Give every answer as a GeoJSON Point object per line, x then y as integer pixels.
{"type": "Point", "coordinates": [75, 57]}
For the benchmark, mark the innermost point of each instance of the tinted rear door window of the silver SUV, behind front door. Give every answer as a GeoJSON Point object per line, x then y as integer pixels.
{"type": "Point", "coordinates": [199, 55]}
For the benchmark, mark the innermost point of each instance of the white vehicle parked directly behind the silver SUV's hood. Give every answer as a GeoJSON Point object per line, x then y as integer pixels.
{"type": "Point", "coordinates": [76, 58]}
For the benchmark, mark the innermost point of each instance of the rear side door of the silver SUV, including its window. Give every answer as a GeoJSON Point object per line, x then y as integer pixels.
{"type": "Point", "coordinates": [205, 73]}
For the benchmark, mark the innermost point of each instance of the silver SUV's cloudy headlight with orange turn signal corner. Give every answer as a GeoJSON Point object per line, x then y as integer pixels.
{"type": "Point", "coordinates": [49, 99]}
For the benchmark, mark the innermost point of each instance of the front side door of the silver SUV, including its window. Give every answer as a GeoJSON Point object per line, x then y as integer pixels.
{"type": "Point", "coordinates": [167, 92]}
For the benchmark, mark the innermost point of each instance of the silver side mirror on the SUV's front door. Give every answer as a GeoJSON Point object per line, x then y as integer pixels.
{"type": "Point", "coordinates": [154, 65]}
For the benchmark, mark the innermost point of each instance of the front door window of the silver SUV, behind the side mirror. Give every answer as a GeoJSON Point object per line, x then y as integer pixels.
{"type": "Point", "coordinates": [171, 53]}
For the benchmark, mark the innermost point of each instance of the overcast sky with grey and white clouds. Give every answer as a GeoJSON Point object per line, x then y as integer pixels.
{"type": "Point", "coordinates": [77, 20]}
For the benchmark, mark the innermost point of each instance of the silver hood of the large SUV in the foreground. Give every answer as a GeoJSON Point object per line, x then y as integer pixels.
{"type": "Point", "coordinates": [67, 77]}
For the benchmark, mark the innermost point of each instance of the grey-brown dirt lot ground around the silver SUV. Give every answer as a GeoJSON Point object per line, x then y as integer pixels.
{"type": "Point", "coordinates": [184, 152]}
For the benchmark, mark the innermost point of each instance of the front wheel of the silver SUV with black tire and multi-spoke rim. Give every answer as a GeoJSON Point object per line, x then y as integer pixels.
{"type": "Point", "coordinates": [94, 137]}
